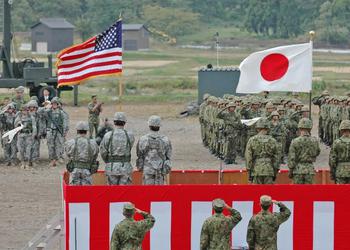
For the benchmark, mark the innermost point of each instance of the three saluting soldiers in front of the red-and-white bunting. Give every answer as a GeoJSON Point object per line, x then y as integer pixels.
{"type": "Point", "coordinates": [216, 230]}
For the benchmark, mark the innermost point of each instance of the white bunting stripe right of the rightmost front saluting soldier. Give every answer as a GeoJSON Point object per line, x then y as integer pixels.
{"type": "Point", "coordinates": [285, 232]}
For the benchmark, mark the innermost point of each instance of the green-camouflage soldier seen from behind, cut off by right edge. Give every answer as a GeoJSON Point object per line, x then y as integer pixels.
{"type": "Point", "coordinates": [339, 157]}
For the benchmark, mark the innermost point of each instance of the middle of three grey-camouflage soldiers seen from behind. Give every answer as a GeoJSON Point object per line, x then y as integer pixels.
{"type": "Point", "coordinates": [115, 150]}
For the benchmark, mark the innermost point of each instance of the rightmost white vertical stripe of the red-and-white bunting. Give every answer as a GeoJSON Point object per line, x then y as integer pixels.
{"type": "Point", "coordinates": [323, 225]}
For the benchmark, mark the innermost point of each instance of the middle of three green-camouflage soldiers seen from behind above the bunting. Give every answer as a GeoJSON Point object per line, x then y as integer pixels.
{"type": "Point", "coordinates": [302, 154]}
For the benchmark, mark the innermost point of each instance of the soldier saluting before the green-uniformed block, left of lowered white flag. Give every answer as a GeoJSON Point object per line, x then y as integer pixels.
{"type": "Point", "coordinates": [232, 126]}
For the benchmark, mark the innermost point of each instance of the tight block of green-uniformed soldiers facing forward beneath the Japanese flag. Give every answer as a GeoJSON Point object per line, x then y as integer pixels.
{"type": "Point", "coordinates": [226, 136]}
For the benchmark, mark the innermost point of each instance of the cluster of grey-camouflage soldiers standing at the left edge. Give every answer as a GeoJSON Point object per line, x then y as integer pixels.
{"type": "Point", "coordinates": [35, 122]}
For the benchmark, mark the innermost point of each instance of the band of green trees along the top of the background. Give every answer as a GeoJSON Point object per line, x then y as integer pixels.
{"type": "Point", "coordinates": [267, 18]}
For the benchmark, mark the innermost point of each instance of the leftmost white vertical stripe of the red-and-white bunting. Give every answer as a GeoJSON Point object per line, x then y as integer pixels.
{"type": "Point", "coordinates": [79, 222]}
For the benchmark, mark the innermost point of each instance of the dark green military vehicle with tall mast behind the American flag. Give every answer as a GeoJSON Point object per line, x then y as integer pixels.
{"type": "Point", "coordinates": [27, 72]}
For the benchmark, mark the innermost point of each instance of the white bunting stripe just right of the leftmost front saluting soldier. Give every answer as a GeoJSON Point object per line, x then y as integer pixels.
{"type": "Point", "coordinates": [161, 232]}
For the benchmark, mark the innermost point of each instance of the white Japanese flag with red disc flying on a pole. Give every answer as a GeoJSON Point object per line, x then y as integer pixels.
{"type": "Point", "coordinates": [285, 68]}
